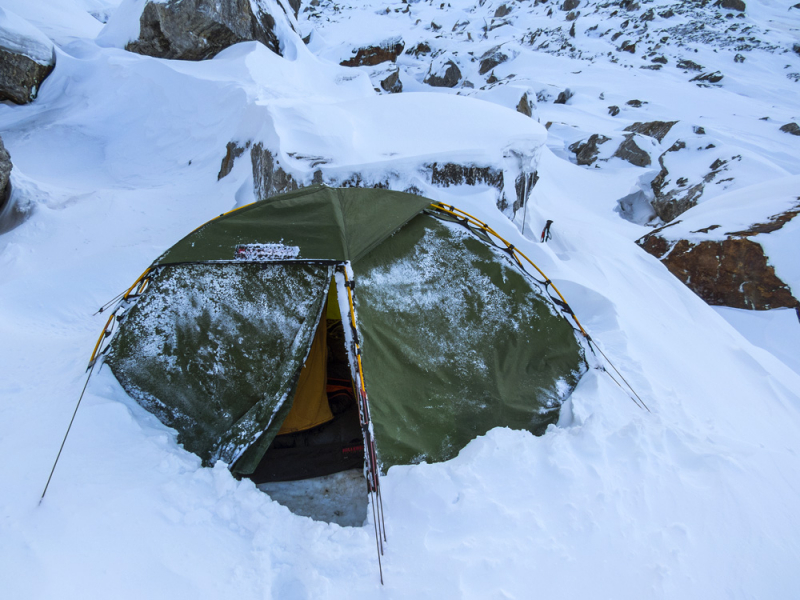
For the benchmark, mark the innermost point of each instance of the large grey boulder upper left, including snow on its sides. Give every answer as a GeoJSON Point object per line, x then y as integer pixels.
{"type": "Point", "coordinates": [196, 29]}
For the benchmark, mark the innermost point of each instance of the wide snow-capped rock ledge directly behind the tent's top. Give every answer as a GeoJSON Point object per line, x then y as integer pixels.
{"type": "Point", "coordinates": [429, 140]}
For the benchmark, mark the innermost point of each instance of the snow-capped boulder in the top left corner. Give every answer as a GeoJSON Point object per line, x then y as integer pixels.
{"type": "Point", "coordinates": [27, 57]}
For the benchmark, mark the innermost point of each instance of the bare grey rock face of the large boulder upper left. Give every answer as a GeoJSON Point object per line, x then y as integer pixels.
{"type": "Point", "coordinates": [199, 29]}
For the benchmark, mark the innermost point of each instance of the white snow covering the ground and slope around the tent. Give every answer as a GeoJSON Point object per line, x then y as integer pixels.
{"type": "Point", "coordinates": [118, 158]}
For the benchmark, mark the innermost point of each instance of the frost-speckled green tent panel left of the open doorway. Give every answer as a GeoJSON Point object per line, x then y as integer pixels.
{"type": "Point", "coordinates": [212, 349]}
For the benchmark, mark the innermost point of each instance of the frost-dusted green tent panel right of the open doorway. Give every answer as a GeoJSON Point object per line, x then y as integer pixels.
{"type": "Point", "coordinates": [457, 339]}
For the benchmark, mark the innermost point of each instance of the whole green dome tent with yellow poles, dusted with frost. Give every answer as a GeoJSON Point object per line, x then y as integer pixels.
{"type": "Point", "coordinates": [243, 336]}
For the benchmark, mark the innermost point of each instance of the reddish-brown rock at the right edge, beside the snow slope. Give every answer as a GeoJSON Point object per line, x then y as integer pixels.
{"type": "Point", "coordinates": [732, 272]}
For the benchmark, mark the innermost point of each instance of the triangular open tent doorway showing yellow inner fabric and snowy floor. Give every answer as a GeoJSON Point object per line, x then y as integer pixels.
{"type": "Point", "coordinates": [315, 465]}
